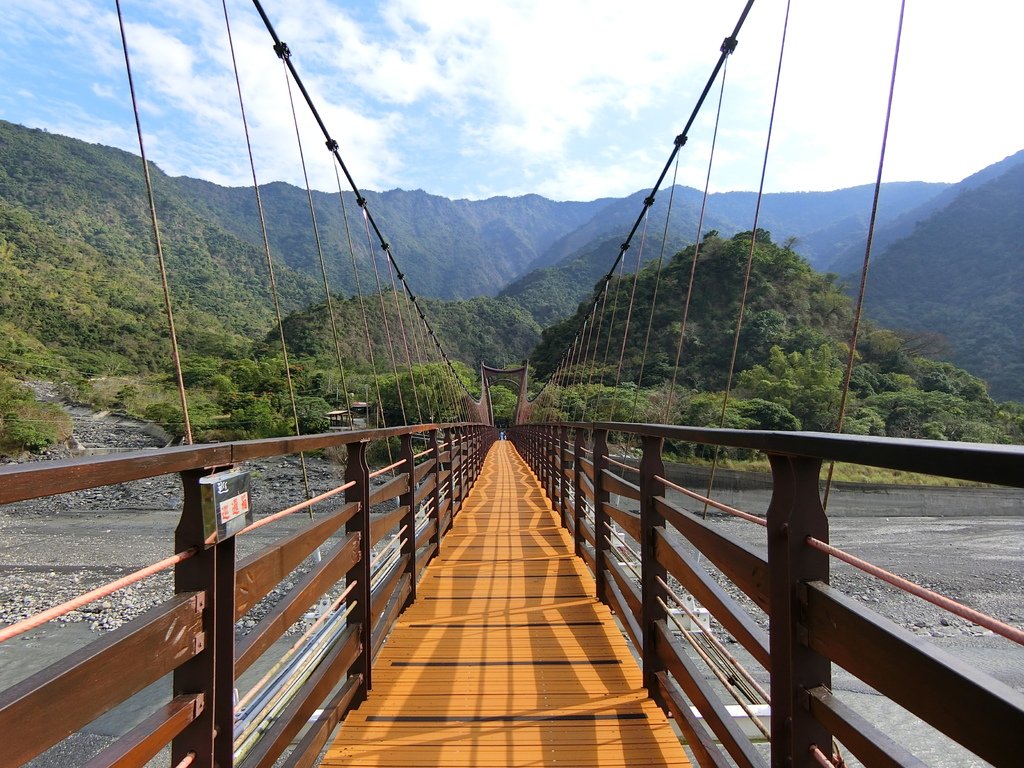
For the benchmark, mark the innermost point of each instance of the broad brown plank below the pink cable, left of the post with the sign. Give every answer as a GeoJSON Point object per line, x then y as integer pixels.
{"type": "Point", "coordinates": [97, 678]}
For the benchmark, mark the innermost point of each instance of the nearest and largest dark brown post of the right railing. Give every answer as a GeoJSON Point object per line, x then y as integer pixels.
{"type": "Point", "coordinates": [794, 515]}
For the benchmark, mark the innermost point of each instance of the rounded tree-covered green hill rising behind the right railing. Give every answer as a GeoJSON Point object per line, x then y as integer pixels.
{"type": "Point", "coordinates": [790, 363]}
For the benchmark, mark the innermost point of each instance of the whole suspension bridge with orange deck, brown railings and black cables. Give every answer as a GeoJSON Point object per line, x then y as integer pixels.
{"type": "Point", "coordinates": [546, 600]}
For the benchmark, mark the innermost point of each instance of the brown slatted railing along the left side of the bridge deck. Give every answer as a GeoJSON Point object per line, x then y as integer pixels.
{"type": "Point", "coordinates": [192, 635]}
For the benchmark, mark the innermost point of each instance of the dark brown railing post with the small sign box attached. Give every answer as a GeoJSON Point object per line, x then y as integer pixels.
{"type": "Point", "coordinates": [211, 672]}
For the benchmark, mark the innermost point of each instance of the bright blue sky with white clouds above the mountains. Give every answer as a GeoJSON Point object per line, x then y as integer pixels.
{"type": "Point", "coordinates": [573, 100]}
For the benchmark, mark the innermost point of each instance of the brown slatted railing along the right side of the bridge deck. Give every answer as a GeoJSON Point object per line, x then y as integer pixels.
{"type": "Point", "coordinates": [642, 563]}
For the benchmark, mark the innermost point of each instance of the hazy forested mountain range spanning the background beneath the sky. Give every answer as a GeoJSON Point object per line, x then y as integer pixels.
{"type": "Point", "coordinates": [947, 258]}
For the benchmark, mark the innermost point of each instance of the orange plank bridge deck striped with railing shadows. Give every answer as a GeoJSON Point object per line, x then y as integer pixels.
{"type": "Point", "coordinates": [506, 659]}
